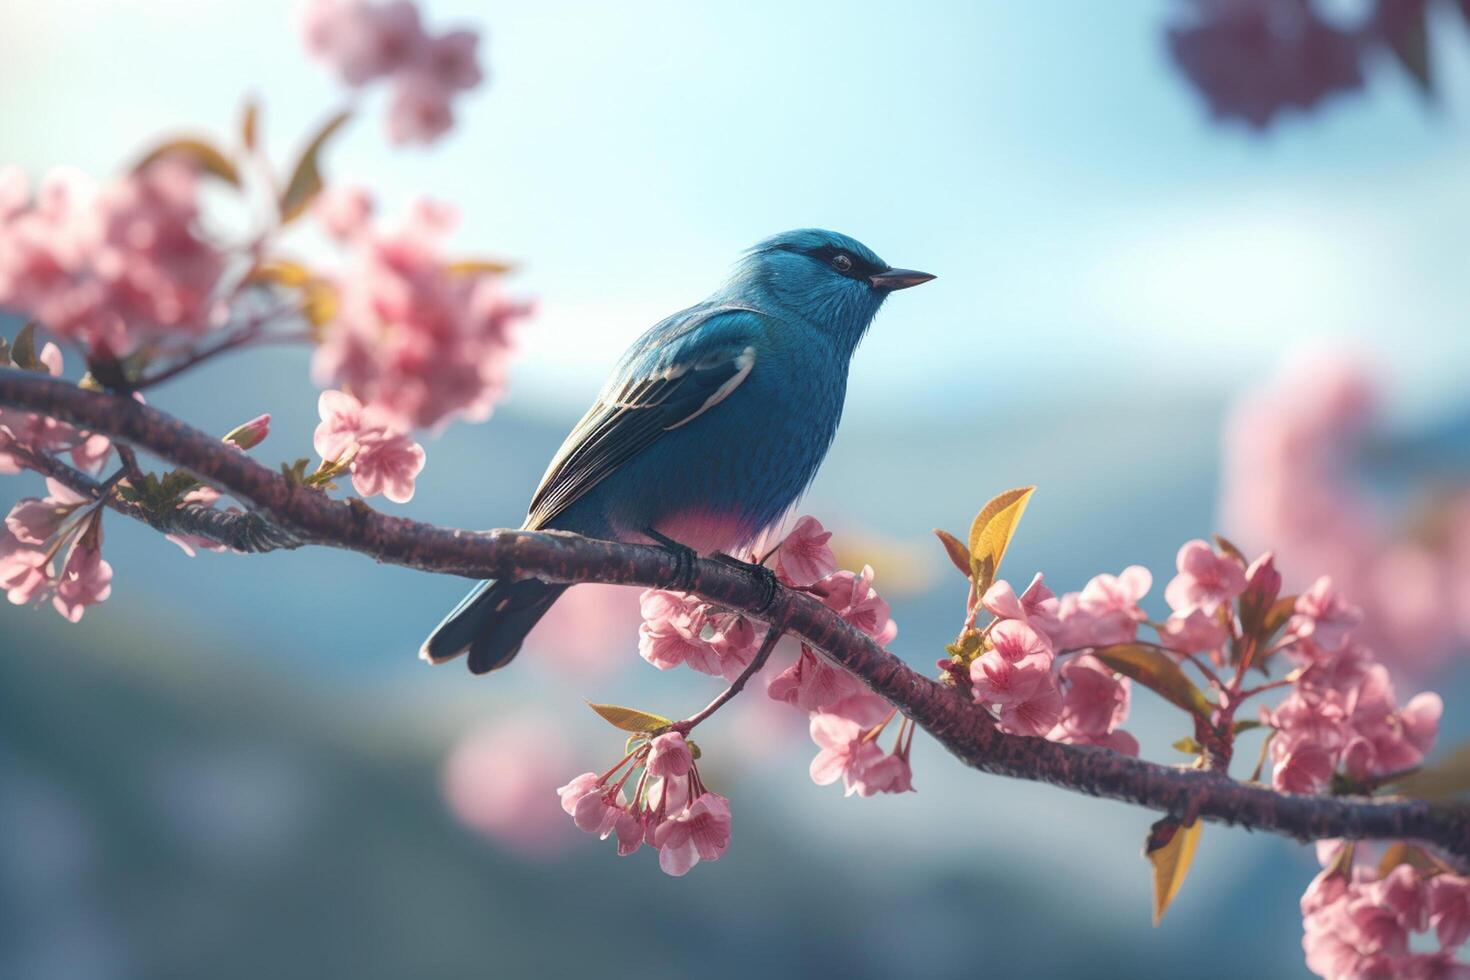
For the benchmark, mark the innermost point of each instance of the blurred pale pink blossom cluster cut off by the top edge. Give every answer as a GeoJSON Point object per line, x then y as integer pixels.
{"type": "Point", "coordinates": [364, 43]}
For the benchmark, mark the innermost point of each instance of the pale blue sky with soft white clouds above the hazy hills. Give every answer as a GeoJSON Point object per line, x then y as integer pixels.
{"type": "Point", "coordinates": [1091, 230]}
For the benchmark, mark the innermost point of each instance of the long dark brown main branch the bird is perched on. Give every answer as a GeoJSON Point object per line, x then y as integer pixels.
{"type": "Point", "coordinates": [964, 728]}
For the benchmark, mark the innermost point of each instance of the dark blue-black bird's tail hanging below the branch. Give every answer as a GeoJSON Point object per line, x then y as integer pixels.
{"type": "Point", "coordinates": [490, 624]}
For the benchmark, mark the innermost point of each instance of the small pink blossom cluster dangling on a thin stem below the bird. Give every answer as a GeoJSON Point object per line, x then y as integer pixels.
{"type": "Point", "coordinates": [670, 809]}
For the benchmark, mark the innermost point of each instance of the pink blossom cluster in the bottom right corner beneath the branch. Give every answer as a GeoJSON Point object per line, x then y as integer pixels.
{"type": "Point", "coordinates": [1360, 916]}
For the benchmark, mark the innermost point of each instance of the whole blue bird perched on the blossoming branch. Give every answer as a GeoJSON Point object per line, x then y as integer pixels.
{"type": "Point", "coordinates": [708, 433]}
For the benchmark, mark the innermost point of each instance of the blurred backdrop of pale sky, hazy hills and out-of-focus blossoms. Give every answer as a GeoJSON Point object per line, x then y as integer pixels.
{"type": "Point", "coordinates": [1164, 231]}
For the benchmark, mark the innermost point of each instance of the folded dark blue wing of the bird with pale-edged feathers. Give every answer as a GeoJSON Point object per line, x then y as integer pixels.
{"type": "Point", "coordinates": [662, 387]}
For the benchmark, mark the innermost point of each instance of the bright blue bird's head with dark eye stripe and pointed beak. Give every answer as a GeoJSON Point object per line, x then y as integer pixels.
{"type": "Point", "coordinates": [834, 281]}
